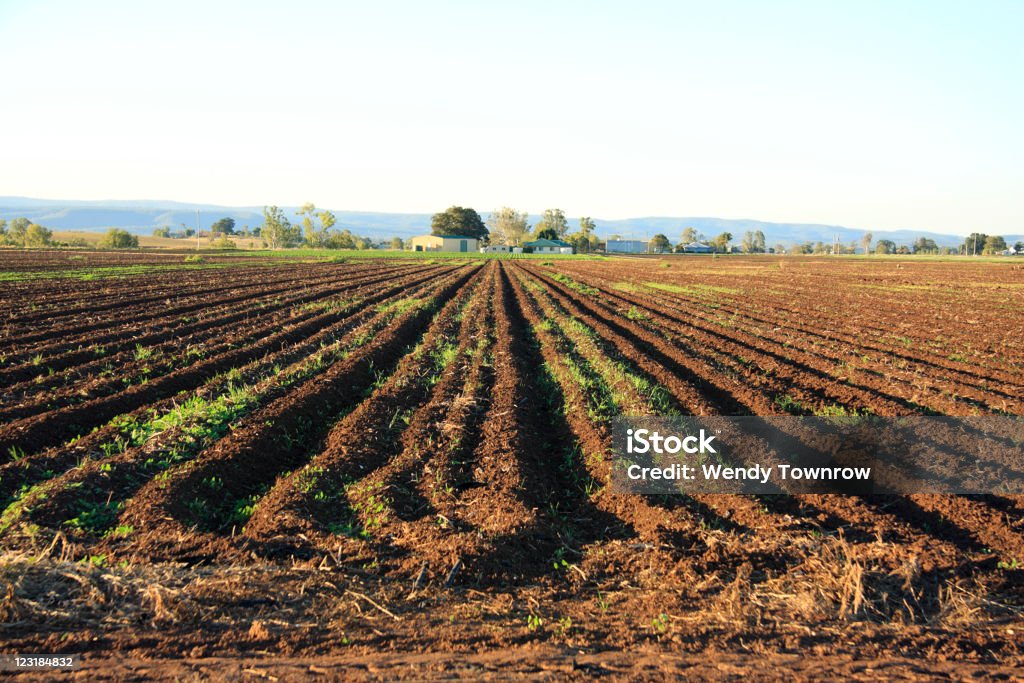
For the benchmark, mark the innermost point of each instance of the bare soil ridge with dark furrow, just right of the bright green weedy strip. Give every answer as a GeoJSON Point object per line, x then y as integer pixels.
{"type": "Point", "coordinates": [180, 530]}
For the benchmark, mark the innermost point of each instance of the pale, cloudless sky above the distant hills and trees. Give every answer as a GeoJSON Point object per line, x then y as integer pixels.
{"type": "Point", "coordinates": [870, 114]}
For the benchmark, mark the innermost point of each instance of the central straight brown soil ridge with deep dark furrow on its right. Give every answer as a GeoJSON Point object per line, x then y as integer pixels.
{"type": "Point", "coordinates": [529, 502]}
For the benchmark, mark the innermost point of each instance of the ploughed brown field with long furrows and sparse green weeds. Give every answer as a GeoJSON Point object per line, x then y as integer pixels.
{"type": "Point", "coordinates": [367, 457]}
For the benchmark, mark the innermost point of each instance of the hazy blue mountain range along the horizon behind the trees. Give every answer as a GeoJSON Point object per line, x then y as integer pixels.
{"type": "Point", "coordinates": [142, 217]}
